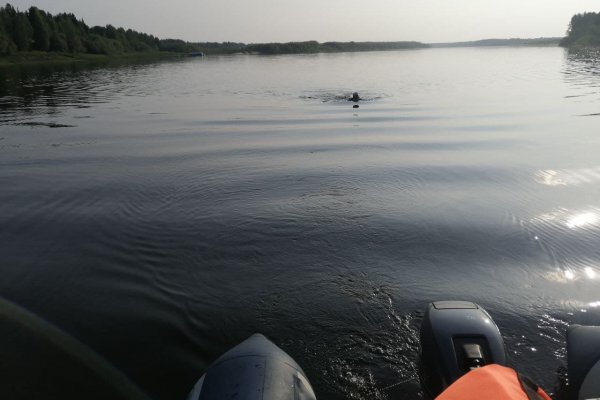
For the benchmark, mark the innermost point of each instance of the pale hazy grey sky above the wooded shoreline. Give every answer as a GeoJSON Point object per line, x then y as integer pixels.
{"type": "Point", "coordinates": [324, 20]}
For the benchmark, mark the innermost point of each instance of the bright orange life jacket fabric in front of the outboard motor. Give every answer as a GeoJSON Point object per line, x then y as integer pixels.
{"type": "Point", "coordinates": [493, 382]}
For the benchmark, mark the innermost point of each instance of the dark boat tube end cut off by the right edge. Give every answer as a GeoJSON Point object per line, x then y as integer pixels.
{"type": "Point", "coordinates": [583, 362]}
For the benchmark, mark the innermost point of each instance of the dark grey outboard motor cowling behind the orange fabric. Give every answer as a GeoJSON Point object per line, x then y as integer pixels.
{"type": "Point", "coordinates": [456, 336]}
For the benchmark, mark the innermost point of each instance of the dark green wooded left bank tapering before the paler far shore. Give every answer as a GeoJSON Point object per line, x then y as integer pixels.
{"type": "Point", "coordinates": [37, 30]}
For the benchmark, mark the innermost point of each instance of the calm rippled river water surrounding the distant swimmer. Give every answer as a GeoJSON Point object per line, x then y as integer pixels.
{"type": "Point", "coordinates": [163, 212]}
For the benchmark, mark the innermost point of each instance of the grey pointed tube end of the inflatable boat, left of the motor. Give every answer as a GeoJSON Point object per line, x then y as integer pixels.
{"type": "Point", "coordinates": [256, 369]}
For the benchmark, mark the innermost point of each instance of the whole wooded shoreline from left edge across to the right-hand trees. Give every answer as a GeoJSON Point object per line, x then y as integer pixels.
{"type": "Point", "coordinates": [35, 36]}
